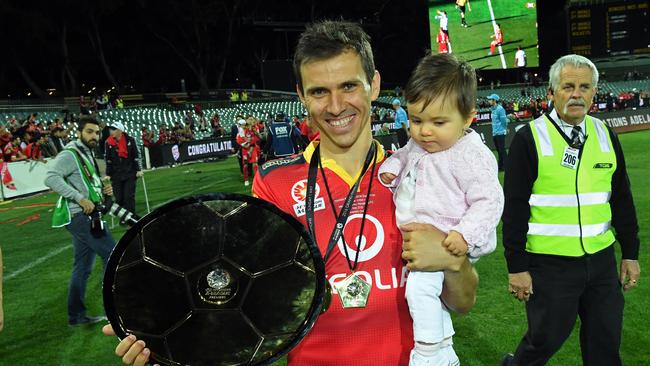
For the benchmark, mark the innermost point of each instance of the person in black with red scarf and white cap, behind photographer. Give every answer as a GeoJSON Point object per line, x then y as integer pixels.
{"type": "Point", "coordinates": [122, 165]}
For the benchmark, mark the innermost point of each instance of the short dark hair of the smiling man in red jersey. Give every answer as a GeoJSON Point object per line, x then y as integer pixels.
{"type": "Point", "coordinates": [327, 39]}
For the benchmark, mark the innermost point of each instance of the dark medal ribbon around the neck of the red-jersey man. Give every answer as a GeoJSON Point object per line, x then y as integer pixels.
{"type": "Point", "coordinates": [341, 218]}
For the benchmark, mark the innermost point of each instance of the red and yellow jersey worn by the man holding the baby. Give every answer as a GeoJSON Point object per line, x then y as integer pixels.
{"type": "Point", "coordinates": [381, 333]}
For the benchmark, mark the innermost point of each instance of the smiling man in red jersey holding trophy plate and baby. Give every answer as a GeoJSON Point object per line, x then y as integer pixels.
{"type": "Point", "coordinates": [337, 81]}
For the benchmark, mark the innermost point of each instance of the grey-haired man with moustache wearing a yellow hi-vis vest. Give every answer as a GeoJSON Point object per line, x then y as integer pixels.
{"type": "Point", "coordinates": [566, 187]}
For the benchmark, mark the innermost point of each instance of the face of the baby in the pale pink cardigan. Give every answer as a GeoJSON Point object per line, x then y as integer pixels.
{"type": "Point", "coordinates": [438, 126]}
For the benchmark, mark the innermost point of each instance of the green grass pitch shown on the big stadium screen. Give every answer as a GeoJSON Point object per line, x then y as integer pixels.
{"type": "Point", "coordinates": [518, 23]}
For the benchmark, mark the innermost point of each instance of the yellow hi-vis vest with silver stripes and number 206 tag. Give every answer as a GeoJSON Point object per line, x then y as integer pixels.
{"type": "Point", "coordinates": [569, 208]}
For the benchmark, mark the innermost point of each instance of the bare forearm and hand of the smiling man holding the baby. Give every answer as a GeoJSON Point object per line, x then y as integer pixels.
{"type": "Point", "coordinates": [423, 251]}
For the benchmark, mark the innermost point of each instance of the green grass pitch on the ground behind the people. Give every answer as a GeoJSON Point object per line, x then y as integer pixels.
{"type": "Point", "coordinates": [38, 261]}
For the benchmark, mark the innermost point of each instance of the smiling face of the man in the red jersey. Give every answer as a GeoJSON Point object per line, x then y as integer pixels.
{"type": "Point", "coordinates": [337, 96]}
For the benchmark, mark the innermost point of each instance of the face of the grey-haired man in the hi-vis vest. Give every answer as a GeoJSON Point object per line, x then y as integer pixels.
{"type": "Point", "coordinates": [574, 94]}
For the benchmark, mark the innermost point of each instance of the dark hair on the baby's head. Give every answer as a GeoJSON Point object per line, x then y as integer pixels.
{"type": "Point", "coordinates": [443, 76]}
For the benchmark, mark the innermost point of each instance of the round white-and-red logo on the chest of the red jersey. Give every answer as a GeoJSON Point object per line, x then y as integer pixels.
{"type": "Point", "coordinates": [370, 243]}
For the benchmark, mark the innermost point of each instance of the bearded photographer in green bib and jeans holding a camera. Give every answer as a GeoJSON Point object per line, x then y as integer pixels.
{"type": "Point", "coordinates": [75, 176]}
